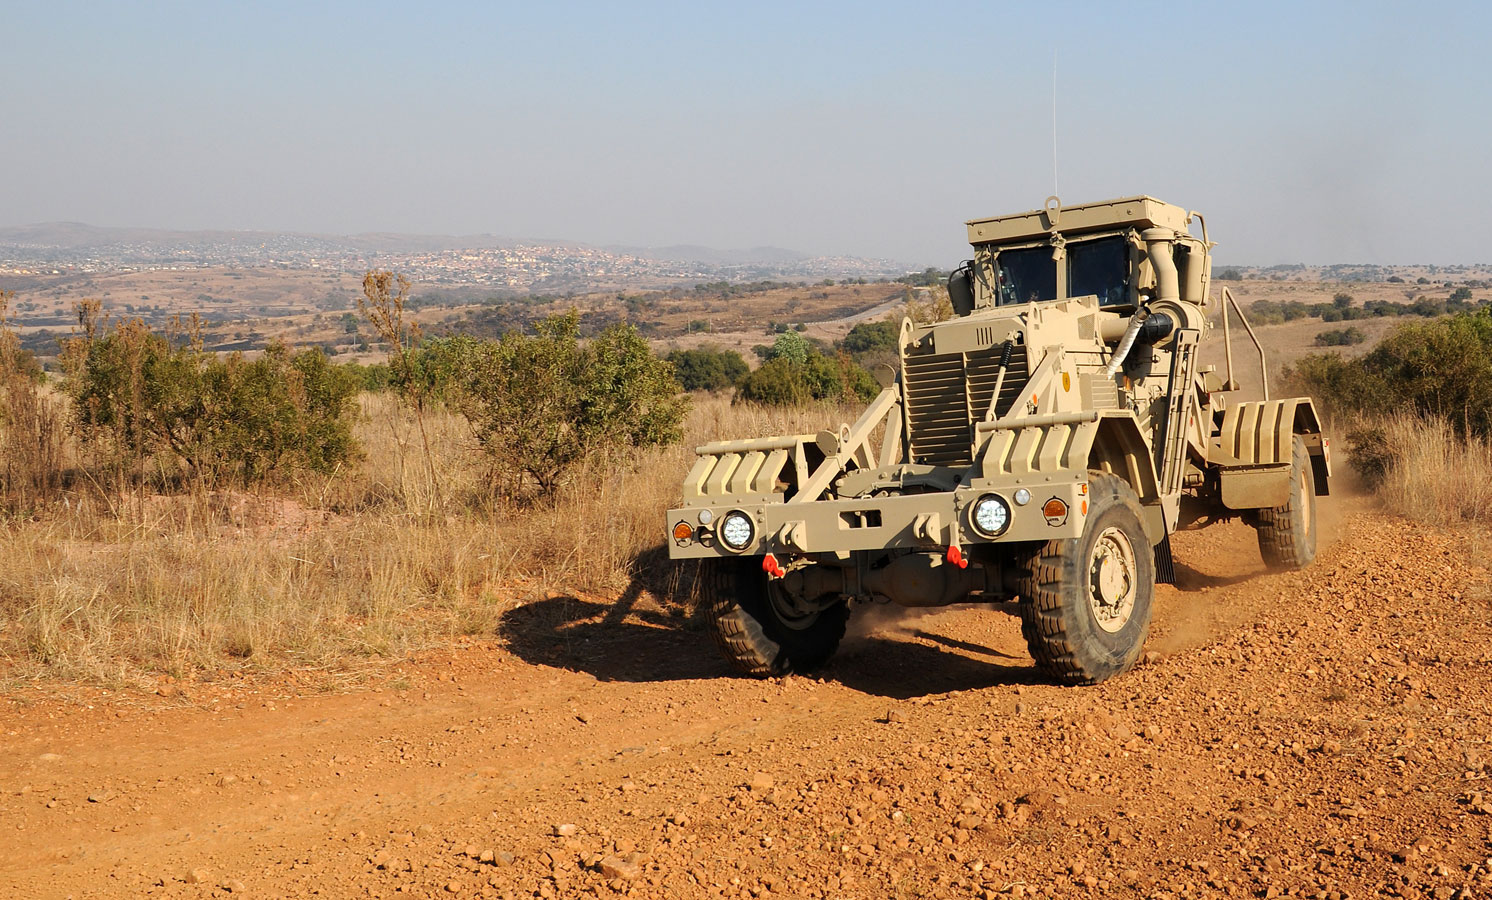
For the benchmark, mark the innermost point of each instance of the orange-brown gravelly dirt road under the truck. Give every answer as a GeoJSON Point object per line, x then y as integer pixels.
{"type": "Point", "coordinates": [1321, 735]}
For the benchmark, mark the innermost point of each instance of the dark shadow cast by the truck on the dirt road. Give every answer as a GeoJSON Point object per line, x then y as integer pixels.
{"type": "Point", "coordinates": [630, 641]}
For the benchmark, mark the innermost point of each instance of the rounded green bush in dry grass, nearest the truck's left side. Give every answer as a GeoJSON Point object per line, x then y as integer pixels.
{"type": "Point", "coordinates": [541, 404]}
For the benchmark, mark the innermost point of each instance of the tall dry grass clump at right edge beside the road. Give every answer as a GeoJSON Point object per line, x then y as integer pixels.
{"type": "Point", "coordinates": [1424, 471]}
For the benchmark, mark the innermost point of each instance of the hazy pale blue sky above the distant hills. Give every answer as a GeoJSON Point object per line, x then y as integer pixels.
{"type": "Point", "coordinates": [1303, 132]}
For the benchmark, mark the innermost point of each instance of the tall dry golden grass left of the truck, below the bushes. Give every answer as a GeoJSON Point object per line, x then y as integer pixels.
{"type": "Point", "coordinates": [335, 574]}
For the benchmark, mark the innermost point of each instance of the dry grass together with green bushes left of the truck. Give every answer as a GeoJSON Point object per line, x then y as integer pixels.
{"type": "Point", "coordinates": [166, 511]}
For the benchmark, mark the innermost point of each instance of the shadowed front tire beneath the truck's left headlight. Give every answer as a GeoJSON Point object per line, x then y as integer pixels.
{"type": "Point", "coordinates": [760, 637]}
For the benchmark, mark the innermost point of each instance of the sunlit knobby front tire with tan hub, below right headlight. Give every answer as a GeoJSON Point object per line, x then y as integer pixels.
{"type": "Point", "coordinates": [1085, 602]}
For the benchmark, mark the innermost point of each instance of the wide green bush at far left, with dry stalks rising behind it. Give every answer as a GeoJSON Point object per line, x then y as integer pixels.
{"type": "Point", "coordinates": [153, 405]}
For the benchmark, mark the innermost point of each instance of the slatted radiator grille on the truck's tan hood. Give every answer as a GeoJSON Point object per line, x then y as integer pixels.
{"type": "Point", "coordinates": [947, 393]}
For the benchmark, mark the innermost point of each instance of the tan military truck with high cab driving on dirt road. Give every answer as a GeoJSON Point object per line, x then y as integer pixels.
{"type": "Point", "coordinates": [1038, 449]}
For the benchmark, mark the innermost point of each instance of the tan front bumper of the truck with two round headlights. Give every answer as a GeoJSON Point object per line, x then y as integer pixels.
{"type": "Point", "coordinates": [911, 522]}
